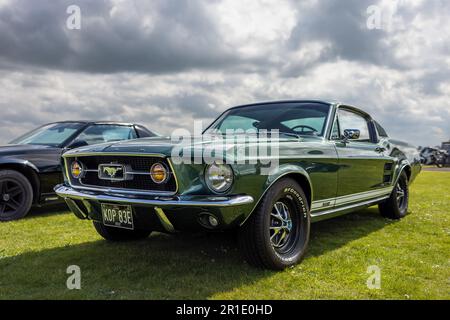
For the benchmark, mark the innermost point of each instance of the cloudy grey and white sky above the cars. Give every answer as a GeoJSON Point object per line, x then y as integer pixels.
{"type": "Point", "coordinates": [165, 63]}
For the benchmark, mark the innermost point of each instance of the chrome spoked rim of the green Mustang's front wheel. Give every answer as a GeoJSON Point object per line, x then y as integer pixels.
{"type": "Point", "coordinates": [280, 225]}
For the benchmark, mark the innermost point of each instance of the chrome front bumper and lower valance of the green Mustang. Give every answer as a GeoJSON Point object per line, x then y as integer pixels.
{"type": "Point", "coordinates": [174, 213]}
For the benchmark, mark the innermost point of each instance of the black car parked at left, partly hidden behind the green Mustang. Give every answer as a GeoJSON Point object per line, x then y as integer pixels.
{"type": "Point", "coordinates": [30, 166]}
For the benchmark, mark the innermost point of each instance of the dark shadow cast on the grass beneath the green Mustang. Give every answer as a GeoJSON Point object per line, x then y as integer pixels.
{"type": "Point", "coordinates": [181, 266]}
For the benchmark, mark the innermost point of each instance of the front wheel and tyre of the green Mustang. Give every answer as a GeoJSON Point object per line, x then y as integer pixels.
{"type": "Point", "coordinates": [277, 233]}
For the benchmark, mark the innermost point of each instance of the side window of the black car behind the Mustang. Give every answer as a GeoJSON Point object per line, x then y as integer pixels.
{"type": "Point", "coordinates": [106, 133]}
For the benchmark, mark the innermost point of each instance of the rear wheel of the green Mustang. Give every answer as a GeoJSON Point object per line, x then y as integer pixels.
{"type": "Point", "coordinates": [396, 206]}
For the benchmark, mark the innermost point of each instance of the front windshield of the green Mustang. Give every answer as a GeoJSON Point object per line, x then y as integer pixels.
{"type": "Point", "coordinates": [299, 118]}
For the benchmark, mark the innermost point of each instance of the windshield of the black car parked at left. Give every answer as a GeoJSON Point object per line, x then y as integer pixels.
{"type": "Point", "coordinates": [54, 134]}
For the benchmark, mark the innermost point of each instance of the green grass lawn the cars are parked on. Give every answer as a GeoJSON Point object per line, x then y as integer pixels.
{"type": "Point", "coordinates": [413, 255]}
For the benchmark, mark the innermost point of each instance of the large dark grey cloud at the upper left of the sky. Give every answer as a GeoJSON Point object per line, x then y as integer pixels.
{"type": "Point", "coordinates": [181, 36]}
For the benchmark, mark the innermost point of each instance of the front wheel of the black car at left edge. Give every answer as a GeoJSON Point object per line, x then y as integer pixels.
{"type": "Point", "coordinates": [16, 195]}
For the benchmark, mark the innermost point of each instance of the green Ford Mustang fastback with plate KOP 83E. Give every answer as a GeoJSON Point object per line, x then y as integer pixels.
{"type": "Point", "coordinates": [267, 170]}
